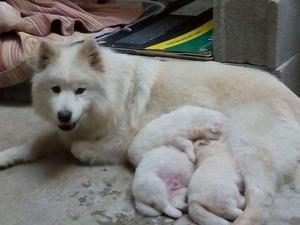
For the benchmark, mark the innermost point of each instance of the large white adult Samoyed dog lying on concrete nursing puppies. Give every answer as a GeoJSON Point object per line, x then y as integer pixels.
{"type": "Point", "coordinates": [97, 100]}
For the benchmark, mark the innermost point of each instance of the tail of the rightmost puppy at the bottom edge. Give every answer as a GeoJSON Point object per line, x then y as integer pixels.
{"type": "Point", "coordinates": [201, 215]}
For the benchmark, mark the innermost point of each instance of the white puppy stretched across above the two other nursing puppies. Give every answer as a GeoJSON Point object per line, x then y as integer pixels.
{"type": "Point", "coordinates": [175, 128]}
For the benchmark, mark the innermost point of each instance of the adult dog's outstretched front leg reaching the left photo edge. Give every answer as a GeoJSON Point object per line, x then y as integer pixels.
{"type": "Point", "coordinates": [30, 151]}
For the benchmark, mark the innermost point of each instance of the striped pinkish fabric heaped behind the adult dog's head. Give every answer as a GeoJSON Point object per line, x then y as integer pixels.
{"type": "Point", "coordinates": [24, 23]}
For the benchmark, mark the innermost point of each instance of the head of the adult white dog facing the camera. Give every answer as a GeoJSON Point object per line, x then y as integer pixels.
{"type": "Point", "coordinates": [69, 83]}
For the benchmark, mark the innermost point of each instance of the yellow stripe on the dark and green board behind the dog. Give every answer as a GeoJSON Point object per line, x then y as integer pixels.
{"type": "Point", "coordinates": [185, 37]}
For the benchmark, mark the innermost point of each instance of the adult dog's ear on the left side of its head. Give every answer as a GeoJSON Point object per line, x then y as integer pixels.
{"type": "Point", "coordinates": [47, 53]}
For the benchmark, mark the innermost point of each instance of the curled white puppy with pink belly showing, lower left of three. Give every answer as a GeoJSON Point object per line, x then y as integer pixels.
{"type": "Point", "coordinates": [161, 180]}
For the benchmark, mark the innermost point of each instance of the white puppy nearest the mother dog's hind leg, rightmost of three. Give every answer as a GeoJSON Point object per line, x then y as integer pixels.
{"type": "Point", "coordinates": [214, 193]}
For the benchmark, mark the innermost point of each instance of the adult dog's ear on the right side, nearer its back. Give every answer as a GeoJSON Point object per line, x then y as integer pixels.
{"type": "Point", "coordinates": [89, 53]}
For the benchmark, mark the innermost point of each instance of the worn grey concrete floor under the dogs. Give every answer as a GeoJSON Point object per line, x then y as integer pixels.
{"type": "Point", "coordinates": [58, 191]}
